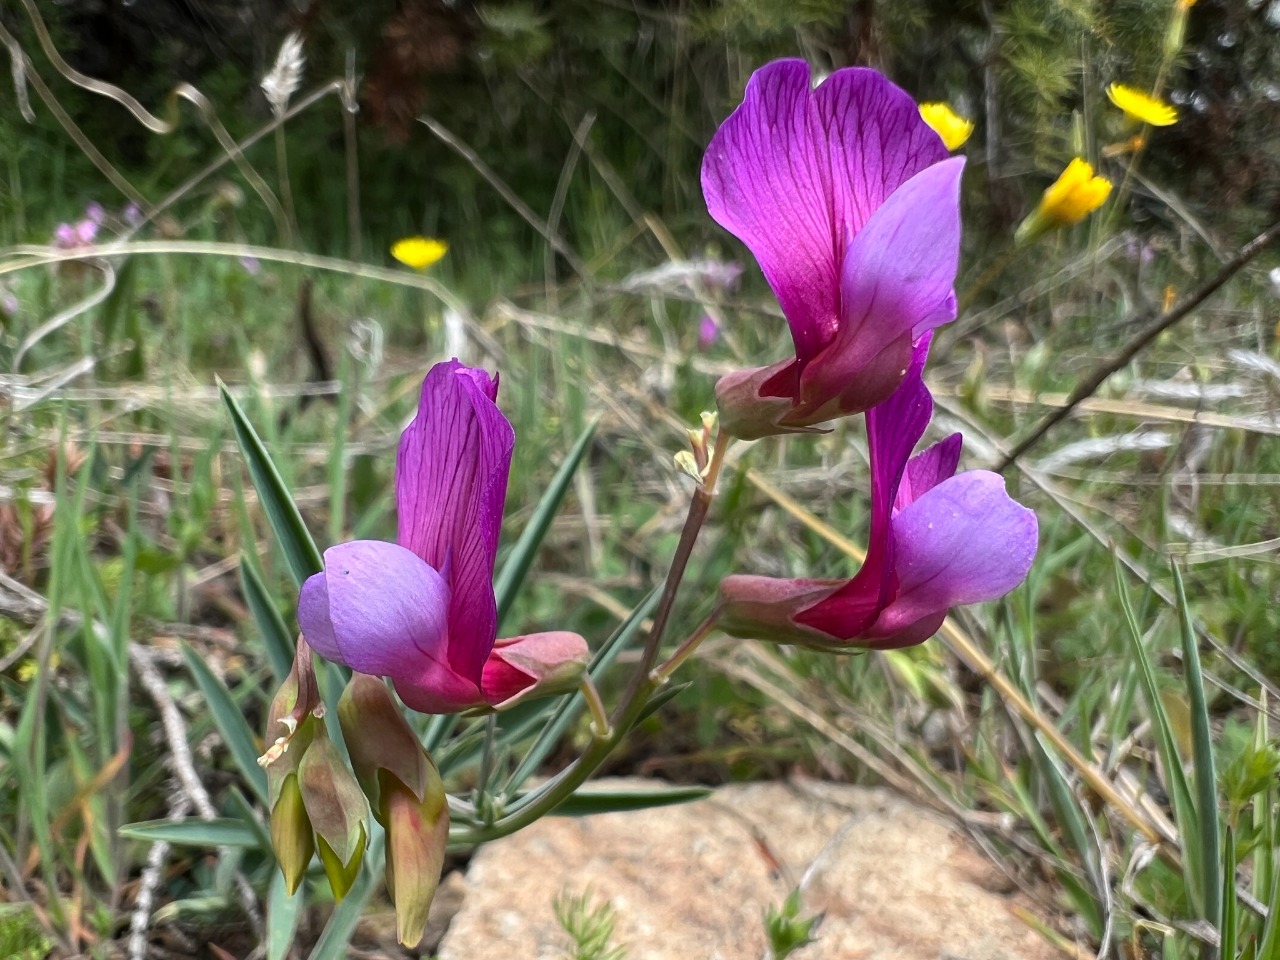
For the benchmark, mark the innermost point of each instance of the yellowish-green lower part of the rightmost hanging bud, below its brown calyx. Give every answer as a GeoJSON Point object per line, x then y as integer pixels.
{"type": "Point", "coordinates": [418, 834]}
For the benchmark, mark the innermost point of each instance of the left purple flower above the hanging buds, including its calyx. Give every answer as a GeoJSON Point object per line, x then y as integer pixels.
{"type": "Point", "coordinates": [423, 612]}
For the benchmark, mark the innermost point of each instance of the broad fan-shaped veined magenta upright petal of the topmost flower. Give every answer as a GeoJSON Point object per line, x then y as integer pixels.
{"type": "Point", "coordinates": [796, 172]}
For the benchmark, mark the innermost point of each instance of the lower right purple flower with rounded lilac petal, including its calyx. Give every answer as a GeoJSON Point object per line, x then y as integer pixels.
{"type": "Point", "coordinates": [938, 540]}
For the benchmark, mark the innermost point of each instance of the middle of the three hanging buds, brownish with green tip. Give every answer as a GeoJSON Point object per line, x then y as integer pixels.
{"type": "Point", "coordinates": [339, 812]}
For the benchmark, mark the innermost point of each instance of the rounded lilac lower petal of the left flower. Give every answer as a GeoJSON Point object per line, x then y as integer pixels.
{"type": "Point", "coordinates": [377, 609]}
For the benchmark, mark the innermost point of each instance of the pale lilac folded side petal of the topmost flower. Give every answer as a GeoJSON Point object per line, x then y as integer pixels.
{"type": "Point", "coordinates": [897, 285]}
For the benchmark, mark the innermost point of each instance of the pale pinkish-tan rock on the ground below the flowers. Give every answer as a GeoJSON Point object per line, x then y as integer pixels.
{"type": "Point", "coordinates": [688, 883]}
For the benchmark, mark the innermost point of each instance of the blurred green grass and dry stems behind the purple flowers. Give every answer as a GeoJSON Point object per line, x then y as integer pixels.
{"type": "Point", "coordinates": [1105, 734]}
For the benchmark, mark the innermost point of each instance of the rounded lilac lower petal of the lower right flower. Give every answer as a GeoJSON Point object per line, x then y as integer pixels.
{"type": "Point", "coordinates": [963, 542]}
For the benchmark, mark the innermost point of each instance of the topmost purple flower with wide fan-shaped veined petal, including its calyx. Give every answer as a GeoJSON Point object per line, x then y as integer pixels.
{"type": "Point", "coordinates": [852, 207]}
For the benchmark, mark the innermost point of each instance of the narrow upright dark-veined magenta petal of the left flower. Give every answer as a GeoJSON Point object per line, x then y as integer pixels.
{"type": "Point", "coordinates": [451, 482]}
